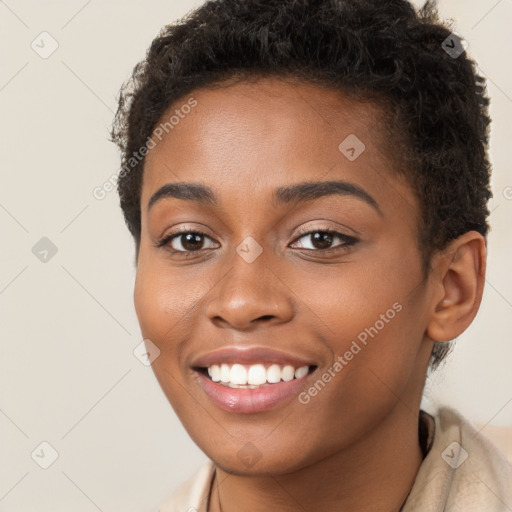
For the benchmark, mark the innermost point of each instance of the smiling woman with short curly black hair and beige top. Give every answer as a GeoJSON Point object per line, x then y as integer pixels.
{"type": "Point", "coordinates": [306, 183]}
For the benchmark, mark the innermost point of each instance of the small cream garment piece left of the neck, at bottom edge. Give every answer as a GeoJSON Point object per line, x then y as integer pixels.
{"type": "Point", "coordinates": [191, 495]}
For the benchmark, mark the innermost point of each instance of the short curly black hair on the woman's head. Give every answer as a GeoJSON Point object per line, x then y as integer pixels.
{"type": "Point", "coordinates": [386, 52]}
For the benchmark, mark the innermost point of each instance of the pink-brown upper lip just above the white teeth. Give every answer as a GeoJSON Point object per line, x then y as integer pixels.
{"type": "Point", "coordinates": [249, 355]}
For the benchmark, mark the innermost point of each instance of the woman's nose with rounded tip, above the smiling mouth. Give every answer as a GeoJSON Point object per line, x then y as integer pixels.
{"type": "Point", "coordinates": [250, 294]}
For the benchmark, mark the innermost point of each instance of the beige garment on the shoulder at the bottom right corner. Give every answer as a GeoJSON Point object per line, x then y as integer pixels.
{"type": "Point", "coordinates": [463, 471]}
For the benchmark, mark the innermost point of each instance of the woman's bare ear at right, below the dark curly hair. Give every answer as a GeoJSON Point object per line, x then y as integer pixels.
{"type": "Point", "coordinates": [458, 280]}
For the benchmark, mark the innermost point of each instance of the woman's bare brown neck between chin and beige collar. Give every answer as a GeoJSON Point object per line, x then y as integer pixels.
{"type": "Point", "coordinates": [375, 473]}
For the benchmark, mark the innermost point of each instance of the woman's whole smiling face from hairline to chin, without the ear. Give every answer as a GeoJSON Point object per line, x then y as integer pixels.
{"type": "Point", "coordinates": [314, 293]}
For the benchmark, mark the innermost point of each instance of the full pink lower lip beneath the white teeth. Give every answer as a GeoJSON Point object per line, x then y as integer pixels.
{"type": "Point", "coordinates": [249, 401]}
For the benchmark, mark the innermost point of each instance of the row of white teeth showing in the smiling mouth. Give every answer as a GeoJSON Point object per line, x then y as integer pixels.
{"type": "Point", "coordinates": [237, 375]}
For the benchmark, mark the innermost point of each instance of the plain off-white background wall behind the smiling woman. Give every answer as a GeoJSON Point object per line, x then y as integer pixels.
{"type": "Point", "coordinates": [68, 375]}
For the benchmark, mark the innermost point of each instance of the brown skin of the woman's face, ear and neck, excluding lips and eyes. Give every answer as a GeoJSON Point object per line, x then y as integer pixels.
{"type": "Point", "coordinates": [354, 446]}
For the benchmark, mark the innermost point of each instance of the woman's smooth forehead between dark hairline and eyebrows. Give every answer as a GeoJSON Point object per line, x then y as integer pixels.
{"type": "Point", "coordinates": [249, 138]}
